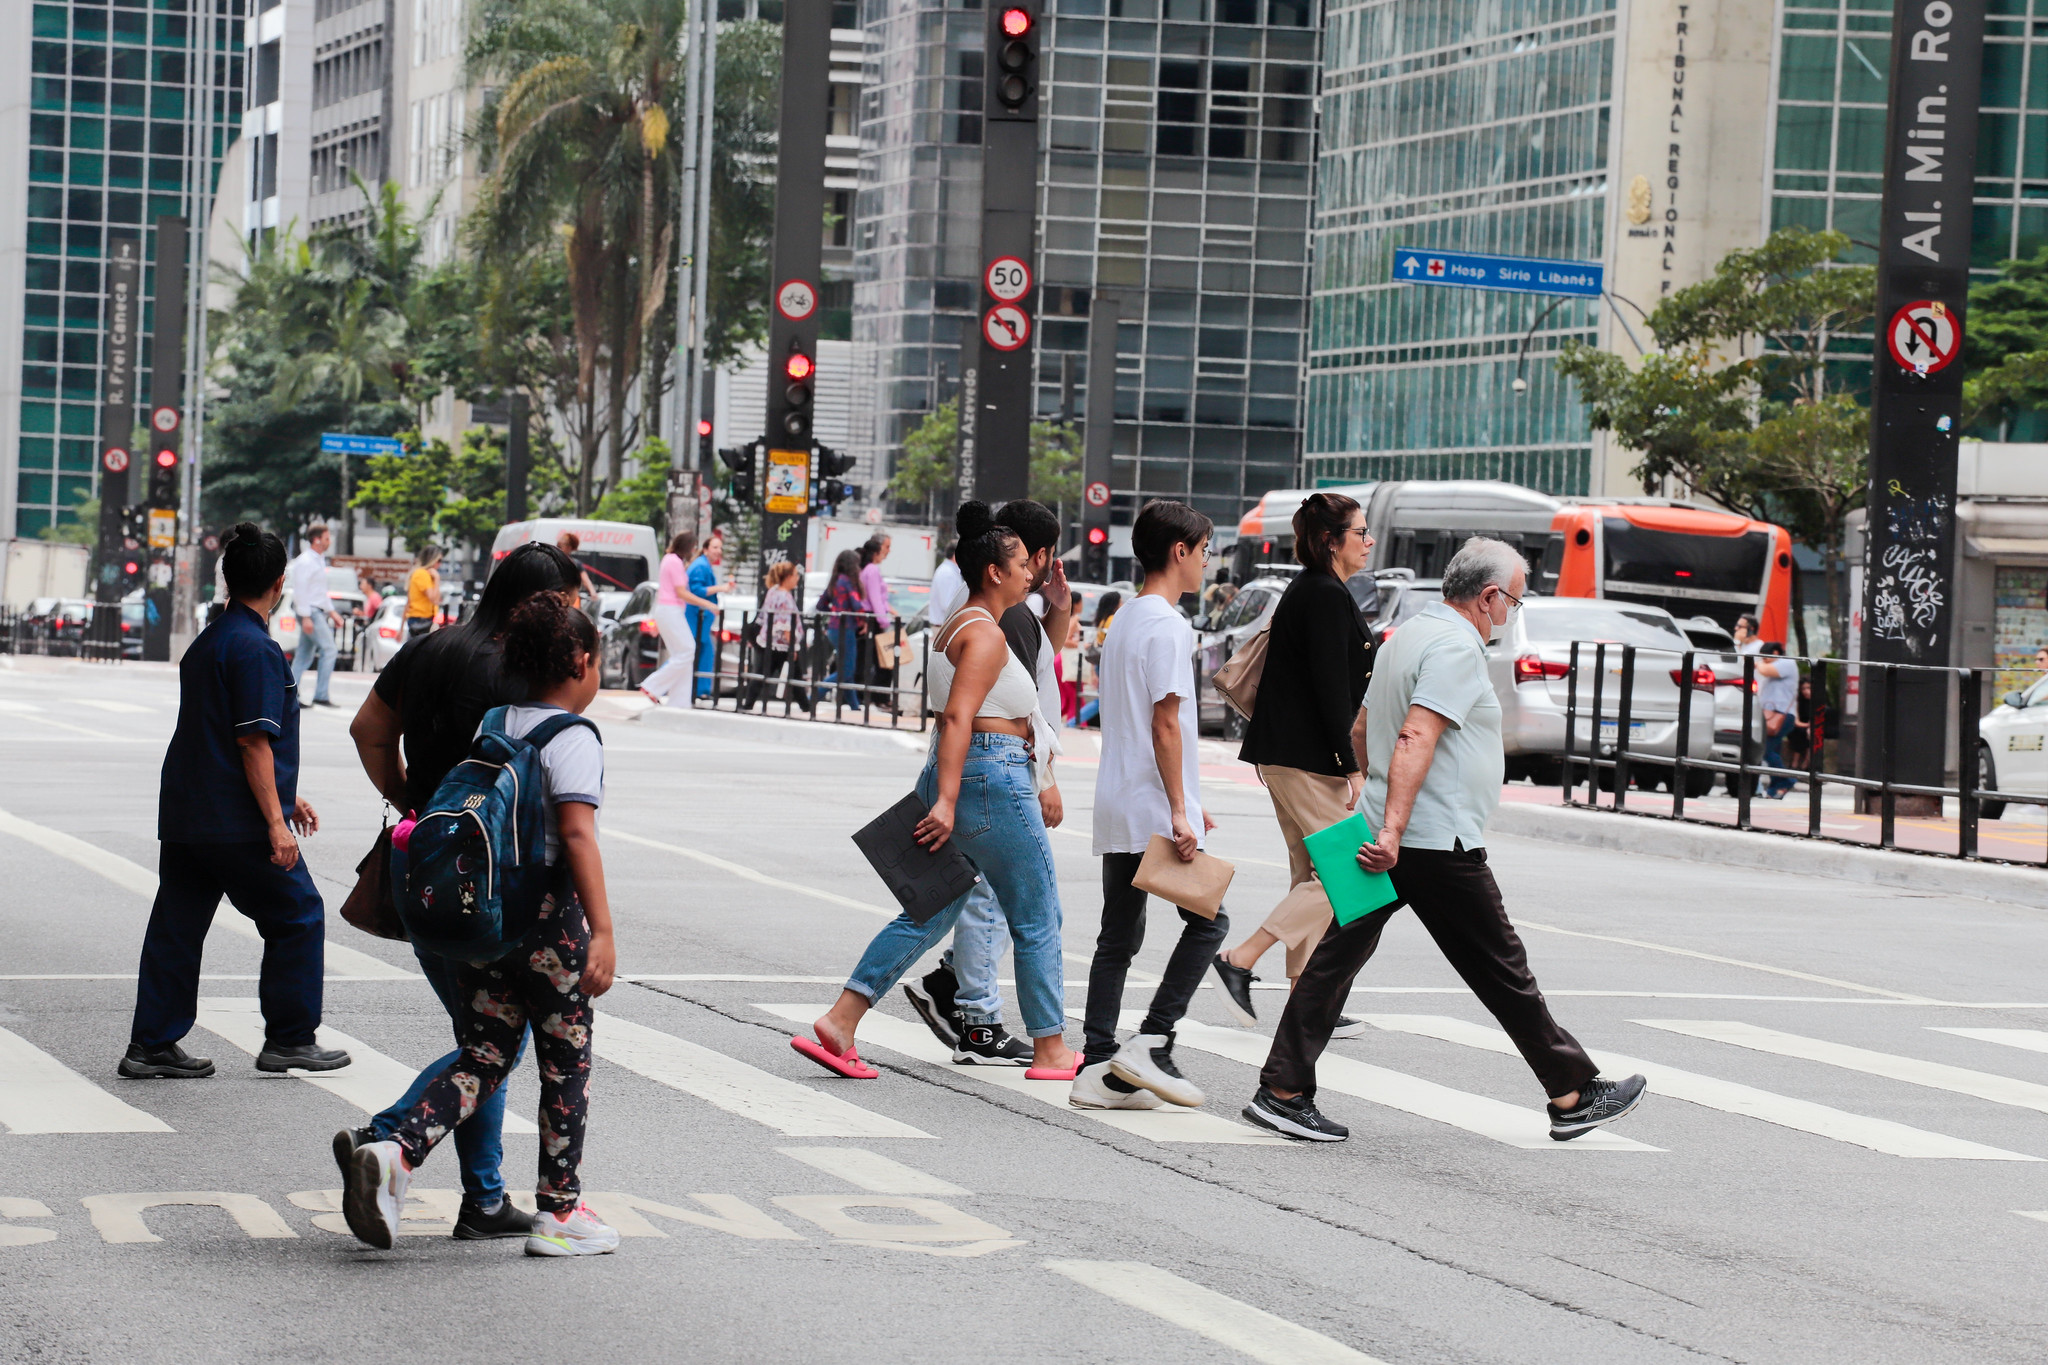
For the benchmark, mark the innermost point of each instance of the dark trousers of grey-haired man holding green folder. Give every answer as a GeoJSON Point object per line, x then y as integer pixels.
{"type": "Point", "coordinates": [1457, 901]}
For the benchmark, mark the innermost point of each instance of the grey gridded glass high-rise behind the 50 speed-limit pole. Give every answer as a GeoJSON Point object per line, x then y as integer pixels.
{"type": "Point", "coordinates": [1177, 175]}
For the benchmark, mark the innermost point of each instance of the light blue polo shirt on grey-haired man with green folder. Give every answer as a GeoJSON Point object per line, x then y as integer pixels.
{"type": "Point", "coordinates": [1437, 660]}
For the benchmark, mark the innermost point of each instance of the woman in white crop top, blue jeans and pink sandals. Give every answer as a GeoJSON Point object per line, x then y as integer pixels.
{"type": "Point", "coordinates": [982, 783]}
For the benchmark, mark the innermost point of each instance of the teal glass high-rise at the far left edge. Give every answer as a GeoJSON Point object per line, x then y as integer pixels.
{"type": "Point", "coordinates": [112, 116]}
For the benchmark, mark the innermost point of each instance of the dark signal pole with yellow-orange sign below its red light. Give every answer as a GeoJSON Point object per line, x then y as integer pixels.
{"type": "Point", "coordinates": [800, 251]}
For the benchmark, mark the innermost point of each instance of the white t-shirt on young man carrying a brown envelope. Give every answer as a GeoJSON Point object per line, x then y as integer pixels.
{"type": "Point", "coordinates": [1144, 662]}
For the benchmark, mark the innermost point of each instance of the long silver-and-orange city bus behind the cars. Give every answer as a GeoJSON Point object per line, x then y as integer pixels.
{"type": "Point", "coordinates": [1678, 556]}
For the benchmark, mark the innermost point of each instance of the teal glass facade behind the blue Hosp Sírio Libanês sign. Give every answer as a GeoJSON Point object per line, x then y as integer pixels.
{"type": "Point", "coordinates": [1471, 130]}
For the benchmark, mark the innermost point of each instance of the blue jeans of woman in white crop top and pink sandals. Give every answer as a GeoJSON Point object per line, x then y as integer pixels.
{"type": "Point", "coordinates": [1000, 828]}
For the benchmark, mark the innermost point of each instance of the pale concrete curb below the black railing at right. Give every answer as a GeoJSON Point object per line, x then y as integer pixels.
{"type": "Point", "coordinates": [1773, 852]}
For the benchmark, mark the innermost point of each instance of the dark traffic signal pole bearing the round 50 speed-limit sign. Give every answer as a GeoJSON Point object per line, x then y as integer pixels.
{"type": "Point", "coordinates": [1002, 384]}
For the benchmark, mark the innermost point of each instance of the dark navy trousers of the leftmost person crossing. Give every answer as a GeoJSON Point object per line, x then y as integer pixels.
{"type": "Point", "coordinates": [288, 912]}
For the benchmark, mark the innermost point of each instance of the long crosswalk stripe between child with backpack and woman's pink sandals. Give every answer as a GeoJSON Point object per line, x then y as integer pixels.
{"type": "Point", "coordinates": [753, 1094]}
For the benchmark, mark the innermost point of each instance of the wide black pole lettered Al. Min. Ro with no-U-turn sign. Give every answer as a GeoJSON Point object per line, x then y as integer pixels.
{"type": "Point", "coordinates": [1916, 394]}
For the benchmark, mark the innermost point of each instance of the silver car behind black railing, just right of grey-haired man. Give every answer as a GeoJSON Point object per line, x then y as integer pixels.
{"type": "Point", "coordinates": [1531, 668]}
